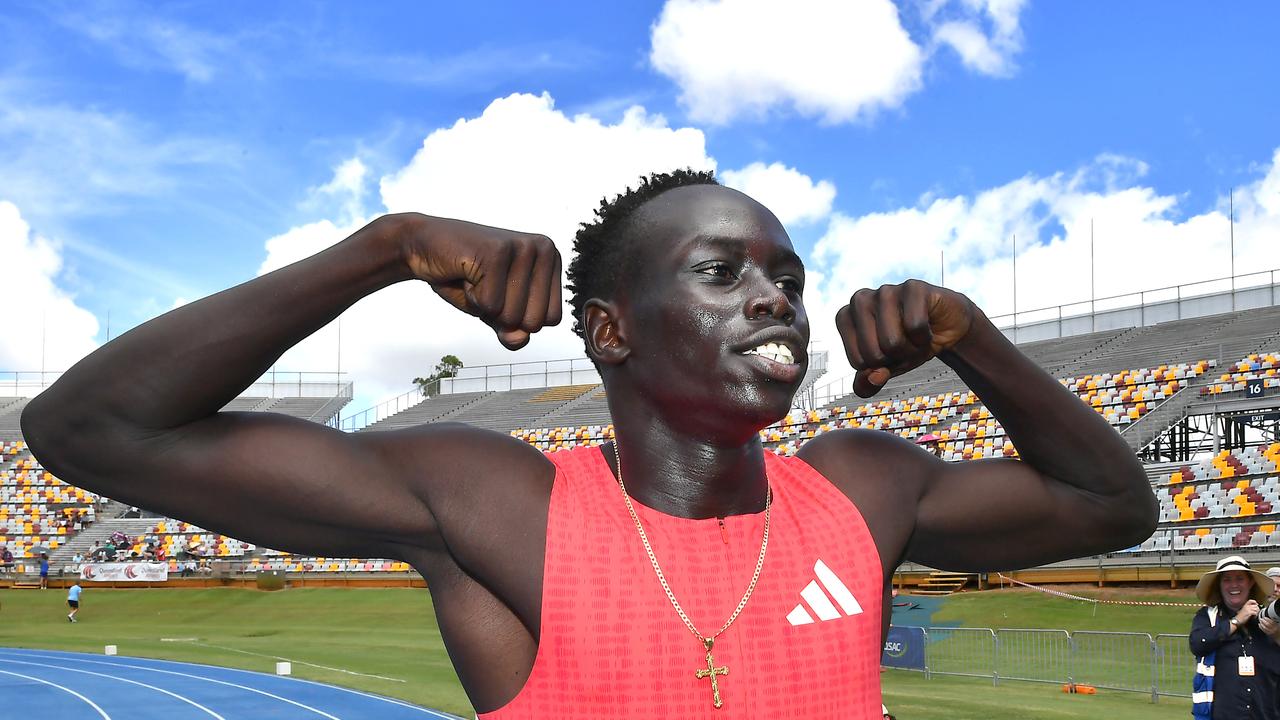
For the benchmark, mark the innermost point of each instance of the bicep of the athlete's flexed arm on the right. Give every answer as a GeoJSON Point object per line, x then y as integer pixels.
{"type": "Point", "coordinates": [1000, 516]}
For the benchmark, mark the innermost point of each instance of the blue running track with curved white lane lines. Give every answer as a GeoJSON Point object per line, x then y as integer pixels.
{"type": "Point", "coordinates": [47, 685]}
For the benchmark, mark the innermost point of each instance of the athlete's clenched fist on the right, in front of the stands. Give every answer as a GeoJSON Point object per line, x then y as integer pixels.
{"type": "Point", "coordinates": [900, 327]}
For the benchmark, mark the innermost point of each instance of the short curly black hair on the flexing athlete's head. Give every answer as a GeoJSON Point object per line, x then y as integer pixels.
{"type": "Point", "coordinates": [600, 245]}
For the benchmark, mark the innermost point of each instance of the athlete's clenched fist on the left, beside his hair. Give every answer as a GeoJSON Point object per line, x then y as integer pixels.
{"type": "Point", "coordinates": [509, 280]}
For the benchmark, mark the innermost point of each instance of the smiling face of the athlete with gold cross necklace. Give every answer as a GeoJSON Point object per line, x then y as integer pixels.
{"type": "Point", "coordinates": [714, 312]}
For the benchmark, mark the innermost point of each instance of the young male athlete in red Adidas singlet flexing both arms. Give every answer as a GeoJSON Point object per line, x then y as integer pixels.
{"type": "Point", "coordinates": [680, 572]}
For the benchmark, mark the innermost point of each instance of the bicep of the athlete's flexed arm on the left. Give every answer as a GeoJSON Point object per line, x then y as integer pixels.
{"type": "Point", "coordinates": [296, 486]}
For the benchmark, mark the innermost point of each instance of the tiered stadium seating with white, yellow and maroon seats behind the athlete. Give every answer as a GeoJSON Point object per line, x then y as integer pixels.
{"type": "Point", "coordinates": [1227, 502]}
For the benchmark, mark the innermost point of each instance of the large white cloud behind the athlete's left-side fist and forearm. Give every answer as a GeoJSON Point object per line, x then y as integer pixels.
{"type": "Point", "coordinates": [520, 165]}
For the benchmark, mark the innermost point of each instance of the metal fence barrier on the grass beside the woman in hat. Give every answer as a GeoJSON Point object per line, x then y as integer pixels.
{"type": "Point", "coordinates": [1160, 666]}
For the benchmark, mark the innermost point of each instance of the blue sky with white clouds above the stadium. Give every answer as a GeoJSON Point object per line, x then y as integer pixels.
{"type": "Point", "coordinates": [153, 154]}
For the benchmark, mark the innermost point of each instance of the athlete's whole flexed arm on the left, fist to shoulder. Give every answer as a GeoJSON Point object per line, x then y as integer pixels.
{"type": "Point", "coordinates": [139, 420]}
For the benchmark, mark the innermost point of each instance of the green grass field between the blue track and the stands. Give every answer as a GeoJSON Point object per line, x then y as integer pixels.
{"type": "Point", "coordinates": [386, 641]}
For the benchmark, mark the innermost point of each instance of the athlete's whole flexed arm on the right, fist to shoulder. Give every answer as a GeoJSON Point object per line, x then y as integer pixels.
{"type": "Point", "coordinates": [1078, 490]}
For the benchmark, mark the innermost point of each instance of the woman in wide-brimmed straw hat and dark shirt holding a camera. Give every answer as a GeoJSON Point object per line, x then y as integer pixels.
{"type": "Point", "coordinates": [1237, 659]}
